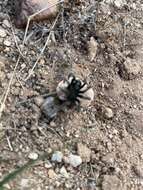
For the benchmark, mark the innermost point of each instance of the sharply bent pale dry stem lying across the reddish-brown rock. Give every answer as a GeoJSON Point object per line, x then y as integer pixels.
{"type": "Point", "coordinates": [38, 12]}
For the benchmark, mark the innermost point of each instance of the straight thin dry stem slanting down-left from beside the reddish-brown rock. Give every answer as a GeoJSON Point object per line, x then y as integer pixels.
{"type": "Point", "coordinates": [42, 51]}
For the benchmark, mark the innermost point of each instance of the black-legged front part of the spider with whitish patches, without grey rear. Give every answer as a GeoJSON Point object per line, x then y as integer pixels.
{"type": "Point", "coordinates": [74, 91]}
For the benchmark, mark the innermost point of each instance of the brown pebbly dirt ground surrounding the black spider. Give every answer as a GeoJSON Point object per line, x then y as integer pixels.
{"type": "Point", "coordinates": [108, 135]}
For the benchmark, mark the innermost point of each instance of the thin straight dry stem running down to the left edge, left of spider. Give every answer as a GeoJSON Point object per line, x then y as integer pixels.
{"type": "Point", "coordinates": [2, 106]}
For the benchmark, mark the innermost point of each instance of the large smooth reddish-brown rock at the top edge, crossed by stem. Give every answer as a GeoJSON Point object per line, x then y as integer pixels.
{"type": "Point", "coordinates": [26, 8]}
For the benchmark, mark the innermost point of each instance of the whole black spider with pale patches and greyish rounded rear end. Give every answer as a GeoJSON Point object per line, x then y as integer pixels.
{"type": "Point", "coordinates": [69, 92]}
